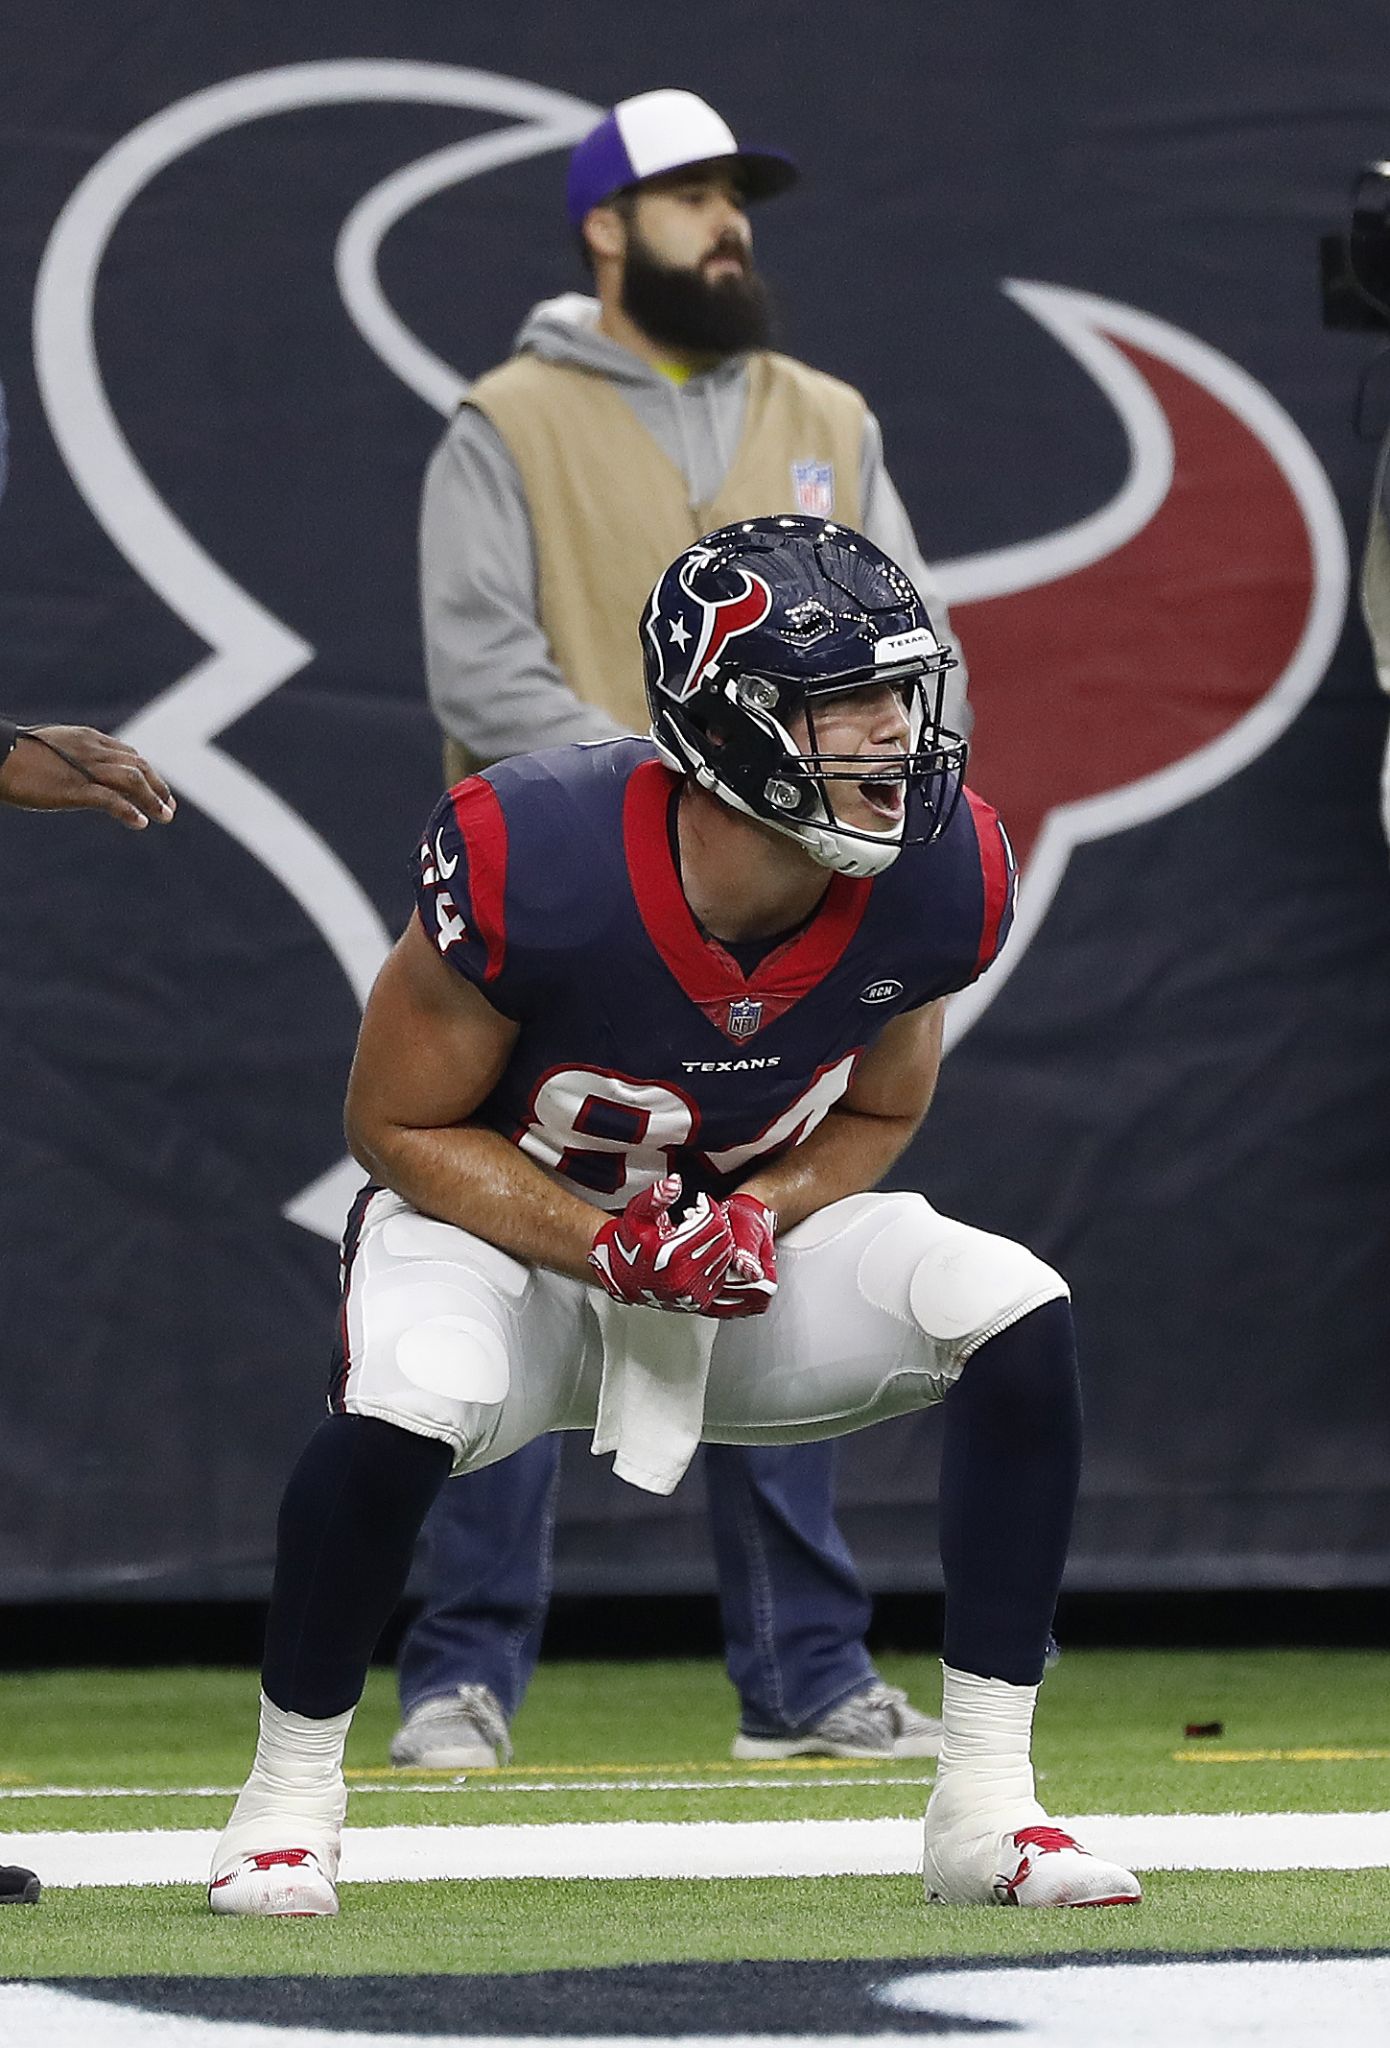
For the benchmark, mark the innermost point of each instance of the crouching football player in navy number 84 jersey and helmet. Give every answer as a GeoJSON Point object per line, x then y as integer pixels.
{"type": "Point", "coordinates": [668, 1011]}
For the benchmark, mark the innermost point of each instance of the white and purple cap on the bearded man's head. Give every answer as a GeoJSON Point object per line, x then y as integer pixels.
{"type": "Point", "coordinates": [658, 132]}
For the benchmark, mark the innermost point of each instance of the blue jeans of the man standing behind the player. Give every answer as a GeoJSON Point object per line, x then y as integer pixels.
{"type": "Point", "coordinates": [791, 1603]}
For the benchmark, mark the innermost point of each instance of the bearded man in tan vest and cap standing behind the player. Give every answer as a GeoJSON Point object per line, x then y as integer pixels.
{"type": "Point", "coordinates": [623, 429]}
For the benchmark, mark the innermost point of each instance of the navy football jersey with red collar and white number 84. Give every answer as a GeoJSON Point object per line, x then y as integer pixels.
{"type": "Point", "coordinates": [550, 882]}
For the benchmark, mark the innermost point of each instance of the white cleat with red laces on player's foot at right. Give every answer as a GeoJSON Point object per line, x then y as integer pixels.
{"type": "Point", "coordinates": [1035, 1865]}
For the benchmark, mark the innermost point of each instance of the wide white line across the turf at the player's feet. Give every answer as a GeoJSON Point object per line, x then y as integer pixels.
{"type": "Point", "coordinates": [724, 1848]}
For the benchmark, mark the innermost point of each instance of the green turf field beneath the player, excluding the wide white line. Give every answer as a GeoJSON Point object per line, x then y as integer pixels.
{"type": "Point", "coordinates": [1301, 1734]}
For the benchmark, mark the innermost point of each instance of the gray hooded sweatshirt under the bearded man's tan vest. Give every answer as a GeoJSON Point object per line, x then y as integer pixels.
{"type": "Point", "coordinates": [492, 677]}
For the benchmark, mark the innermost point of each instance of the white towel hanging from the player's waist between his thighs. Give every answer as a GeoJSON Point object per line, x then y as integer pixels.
{"type": "Point", "coordinates": [652, 1394]}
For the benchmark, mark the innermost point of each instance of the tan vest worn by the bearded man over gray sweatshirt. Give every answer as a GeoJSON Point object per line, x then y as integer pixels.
{"type": "Point", "coordinates": [609, 509]}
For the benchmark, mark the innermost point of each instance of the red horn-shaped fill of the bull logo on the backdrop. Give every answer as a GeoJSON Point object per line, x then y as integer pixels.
{"type": "Point", "coordinates": [1149, 654]}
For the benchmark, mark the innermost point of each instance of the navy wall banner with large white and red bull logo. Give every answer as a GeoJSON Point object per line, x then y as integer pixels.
{"type": "Point", "coordinates": [251, 265]}
